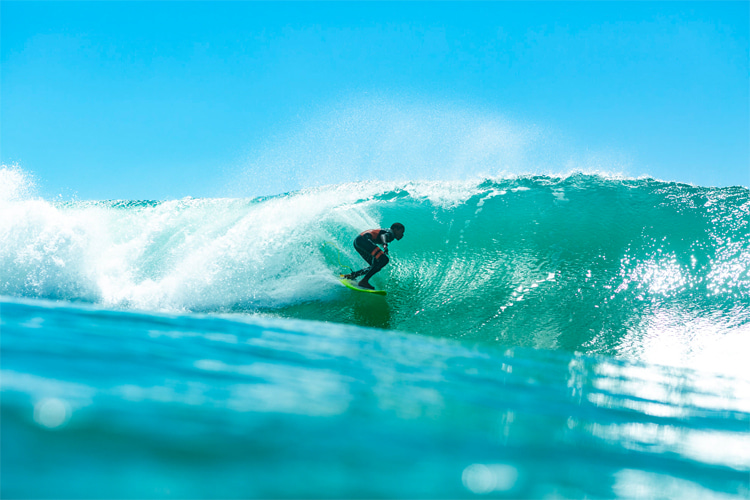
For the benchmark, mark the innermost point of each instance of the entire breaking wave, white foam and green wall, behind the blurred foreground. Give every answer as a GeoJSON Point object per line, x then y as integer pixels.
{"type": "Point", "coordinates": [581, 262]}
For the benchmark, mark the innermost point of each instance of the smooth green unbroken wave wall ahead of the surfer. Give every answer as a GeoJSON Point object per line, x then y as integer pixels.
{"type": "Point", "coordinates": [578, 263]}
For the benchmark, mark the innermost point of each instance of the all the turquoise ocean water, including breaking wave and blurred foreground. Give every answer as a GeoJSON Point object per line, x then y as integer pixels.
{"type": "Point", "coordinates": [542, 337]}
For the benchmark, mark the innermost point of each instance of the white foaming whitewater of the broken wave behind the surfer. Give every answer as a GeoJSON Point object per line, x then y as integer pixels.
{"type": "Point", "coordinates": [180, 255]}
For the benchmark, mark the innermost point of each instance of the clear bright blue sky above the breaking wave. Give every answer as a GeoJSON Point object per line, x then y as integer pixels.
{"type": "Point", "coordinates": [142, 100]}
